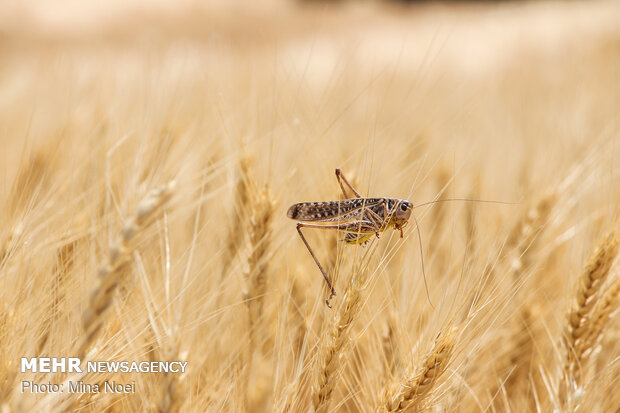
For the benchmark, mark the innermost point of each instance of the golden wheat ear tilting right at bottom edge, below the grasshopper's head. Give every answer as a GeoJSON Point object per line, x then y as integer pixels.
{"type": "Point", "coordinates": [415, 389]}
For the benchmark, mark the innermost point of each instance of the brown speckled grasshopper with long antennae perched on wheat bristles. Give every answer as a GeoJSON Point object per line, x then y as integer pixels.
{"type": "Point", "coordinates": [359, 218]}
